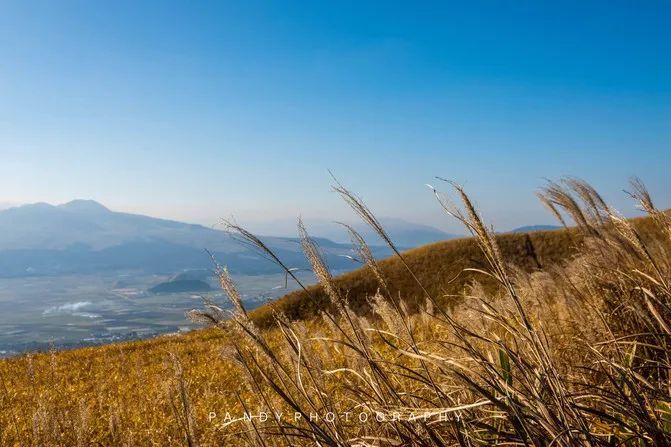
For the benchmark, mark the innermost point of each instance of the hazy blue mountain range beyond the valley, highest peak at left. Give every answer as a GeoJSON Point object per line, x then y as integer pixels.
{"type": "Point", "coordinates": [83, 236]}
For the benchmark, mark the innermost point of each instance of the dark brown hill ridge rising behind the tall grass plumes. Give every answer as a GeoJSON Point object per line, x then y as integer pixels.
{"type": "Point", "coordinates": [440, 268]}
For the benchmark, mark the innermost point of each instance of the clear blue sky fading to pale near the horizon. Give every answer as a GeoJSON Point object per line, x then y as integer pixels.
{"type": "Point", "coordinates": [194, 110]}
